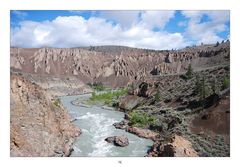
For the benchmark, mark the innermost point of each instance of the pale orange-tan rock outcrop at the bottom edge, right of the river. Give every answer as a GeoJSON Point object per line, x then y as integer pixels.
{"type": "Point", "coordinates": [178, 147]}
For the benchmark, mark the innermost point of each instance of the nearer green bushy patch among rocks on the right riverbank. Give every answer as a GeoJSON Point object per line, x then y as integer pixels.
{"type": "Point", "coordinates": [141, 119]}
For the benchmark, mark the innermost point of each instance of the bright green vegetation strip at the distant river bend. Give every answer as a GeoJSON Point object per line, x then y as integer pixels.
{"type": "Point", "coordinates": [108, 97]}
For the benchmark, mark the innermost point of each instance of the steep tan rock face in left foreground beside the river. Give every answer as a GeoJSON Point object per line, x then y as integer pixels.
{"type": "Point", "coordinates": [38, 126]}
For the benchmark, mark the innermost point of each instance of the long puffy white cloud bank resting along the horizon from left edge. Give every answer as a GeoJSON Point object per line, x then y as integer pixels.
{"type": "Point", "coordinates": [75, 31]}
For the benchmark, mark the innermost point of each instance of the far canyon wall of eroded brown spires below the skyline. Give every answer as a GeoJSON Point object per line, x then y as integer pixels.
{"type": "Point", "coordinates": [114, 65]}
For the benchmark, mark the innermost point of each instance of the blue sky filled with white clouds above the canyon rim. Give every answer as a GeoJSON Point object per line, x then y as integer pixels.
{"type": "Point", "coordinates": [162, 29]}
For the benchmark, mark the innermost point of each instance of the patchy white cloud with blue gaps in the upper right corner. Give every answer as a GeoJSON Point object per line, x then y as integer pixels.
{"type": "Point", "coordinates": [206, 32]}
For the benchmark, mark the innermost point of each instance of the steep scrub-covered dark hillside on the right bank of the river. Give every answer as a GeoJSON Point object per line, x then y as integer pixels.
{"type": "Point", "coordinates": [196, 108]}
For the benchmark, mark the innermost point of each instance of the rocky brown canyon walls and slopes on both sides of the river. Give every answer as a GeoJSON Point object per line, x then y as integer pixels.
{"type": "Point", "coordinates": [158, 85]}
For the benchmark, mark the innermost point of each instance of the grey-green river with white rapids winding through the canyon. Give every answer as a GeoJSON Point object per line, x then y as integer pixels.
{"type": "Point", "coordinates": [96, 124]}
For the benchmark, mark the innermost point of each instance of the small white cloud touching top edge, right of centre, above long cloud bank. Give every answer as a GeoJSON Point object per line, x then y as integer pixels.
{"type": "Point", "coordinates": [159, 19]}
